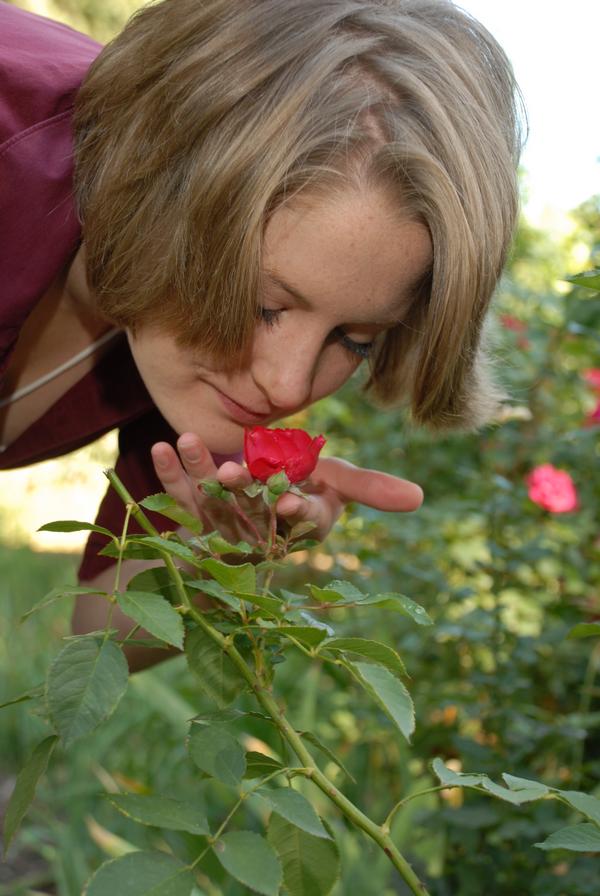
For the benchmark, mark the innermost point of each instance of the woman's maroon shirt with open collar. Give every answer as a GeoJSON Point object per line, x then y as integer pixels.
{"type": "Point", "coordinates": [42, 64]}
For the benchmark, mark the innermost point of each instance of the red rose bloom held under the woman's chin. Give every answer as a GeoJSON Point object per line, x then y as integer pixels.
{"type": "Point", "coordinates": [291, 451]}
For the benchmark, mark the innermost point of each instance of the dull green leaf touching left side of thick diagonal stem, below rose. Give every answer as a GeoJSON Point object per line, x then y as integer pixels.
{"type": "Point", "coordinates": [218, 677]}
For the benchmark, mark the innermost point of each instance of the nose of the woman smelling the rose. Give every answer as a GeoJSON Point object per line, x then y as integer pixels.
{"type": "Point", "coordinates": [285, 369]}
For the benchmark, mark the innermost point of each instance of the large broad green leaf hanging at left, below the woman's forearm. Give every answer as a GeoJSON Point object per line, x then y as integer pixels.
{"type": "Point", "coordinates": [85, 683]}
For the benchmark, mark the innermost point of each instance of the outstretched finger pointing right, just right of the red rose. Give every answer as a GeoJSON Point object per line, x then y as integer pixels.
{"type": "Point", "coordinates": [370, 487]}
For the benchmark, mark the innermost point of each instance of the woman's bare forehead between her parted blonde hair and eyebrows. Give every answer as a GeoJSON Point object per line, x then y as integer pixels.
{"type": "Point", "coordinates": [353, 254]}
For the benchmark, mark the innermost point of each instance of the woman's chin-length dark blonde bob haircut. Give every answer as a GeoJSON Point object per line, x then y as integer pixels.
{"type": "Point", "coordinates": [203, 116]}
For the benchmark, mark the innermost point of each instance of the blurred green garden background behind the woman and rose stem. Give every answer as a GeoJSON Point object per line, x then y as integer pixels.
{"type": "Point", "coordinates": [498, 687]}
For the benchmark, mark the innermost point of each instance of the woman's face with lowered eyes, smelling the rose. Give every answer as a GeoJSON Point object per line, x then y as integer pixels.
{"type": "Point", "coordinates": [336, 273]}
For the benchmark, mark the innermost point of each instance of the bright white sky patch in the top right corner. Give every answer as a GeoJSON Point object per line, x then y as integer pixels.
{"type": "Point", "coordinates": [554, 49]}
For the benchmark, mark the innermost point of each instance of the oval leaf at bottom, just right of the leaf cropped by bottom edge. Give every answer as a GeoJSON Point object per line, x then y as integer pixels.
{"type": "Point", "coordinates": [249, 858]}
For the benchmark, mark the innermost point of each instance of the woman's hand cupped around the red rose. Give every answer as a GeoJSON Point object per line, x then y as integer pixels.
{"type": "Point", "coordinates": [333, 484]}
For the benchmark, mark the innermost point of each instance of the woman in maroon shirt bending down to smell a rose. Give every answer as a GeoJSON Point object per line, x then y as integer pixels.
{"type": "Point", "coordinates": [270, 193]}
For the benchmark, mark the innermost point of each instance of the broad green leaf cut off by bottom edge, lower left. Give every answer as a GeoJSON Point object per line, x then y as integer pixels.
{"type": "Point", "coordinates": [141, 874]}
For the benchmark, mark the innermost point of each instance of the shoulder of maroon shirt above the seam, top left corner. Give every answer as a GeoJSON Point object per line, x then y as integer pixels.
{"type": "Point", "coordinates": [42, 64]}
